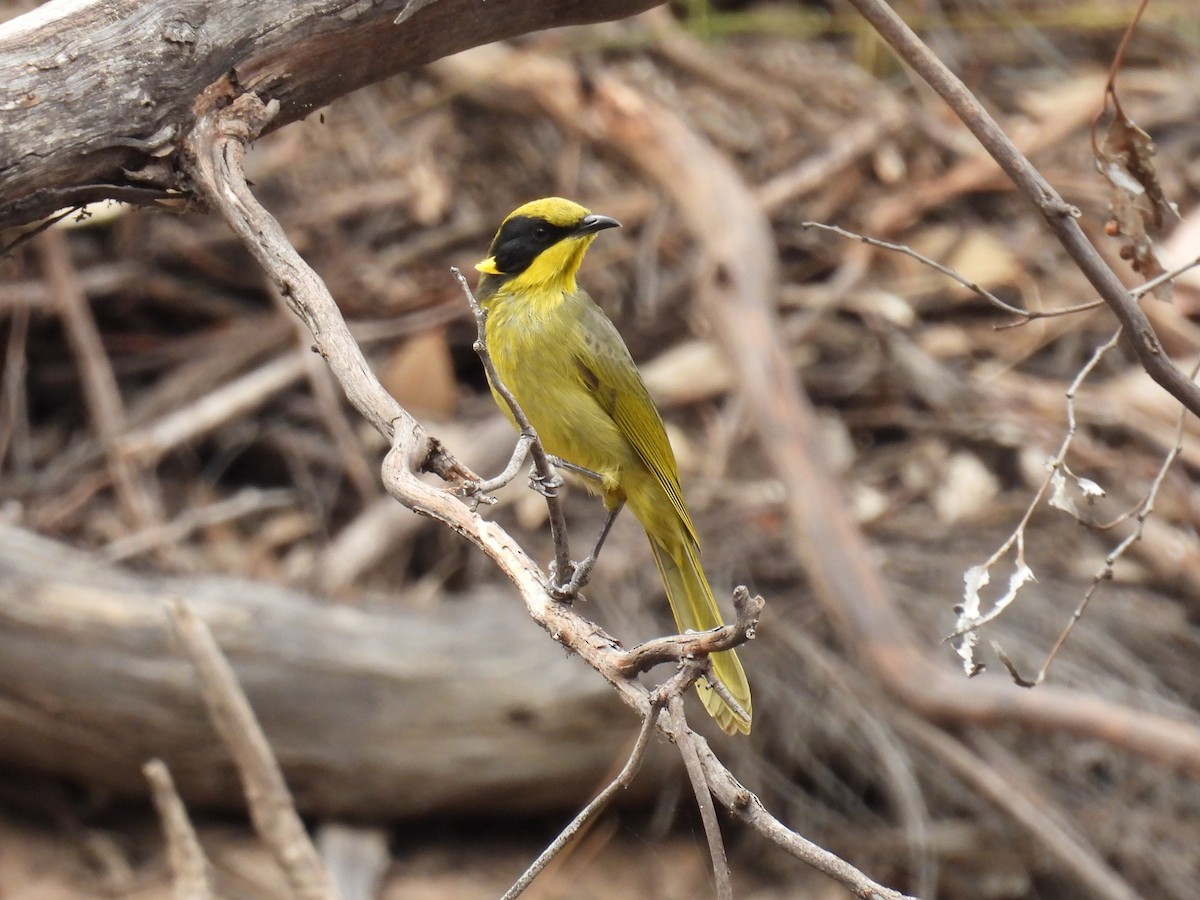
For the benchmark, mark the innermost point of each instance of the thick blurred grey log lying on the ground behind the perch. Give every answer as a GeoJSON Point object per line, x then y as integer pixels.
{"type": "Point", "coordinates": [373, 712]}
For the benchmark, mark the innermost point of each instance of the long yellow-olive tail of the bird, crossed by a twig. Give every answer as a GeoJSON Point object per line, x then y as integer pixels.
{"type": "Point", "coordinates": [695, 610]}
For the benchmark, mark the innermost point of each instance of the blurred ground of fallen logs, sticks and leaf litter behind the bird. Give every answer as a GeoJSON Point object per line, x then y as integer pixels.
{"type": "Point", "coordinates": [195, 446]}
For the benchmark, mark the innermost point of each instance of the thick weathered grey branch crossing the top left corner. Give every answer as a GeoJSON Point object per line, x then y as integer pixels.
{"type": "Point", "coordinates": [95, 95]}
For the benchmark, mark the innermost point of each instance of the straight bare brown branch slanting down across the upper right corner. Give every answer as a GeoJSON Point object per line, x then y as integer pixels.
{"type": "Point", "coordinates": [1059, 215]}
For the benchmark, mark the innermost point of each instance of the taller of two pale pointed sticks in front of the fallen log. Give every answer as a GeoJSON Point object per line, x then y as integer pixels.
{"type": "Point", "coordinates": [272, 808]}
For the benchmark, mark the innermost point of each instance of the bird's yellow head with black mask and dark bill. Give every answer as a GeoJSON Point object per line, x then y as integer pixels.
{"type": "Point", "coordinates": [541, 245]}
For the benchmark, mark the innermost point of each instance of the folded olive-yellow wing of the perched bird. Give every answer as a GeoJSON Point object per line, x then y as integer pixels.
{"type": "Point", "coordinates": [611, 377]}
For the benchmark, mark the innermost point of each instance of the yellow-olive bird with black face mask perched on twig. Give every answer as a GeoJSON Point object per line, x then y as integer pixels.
{"type": "Point", "coordinates": [567, 367]}
